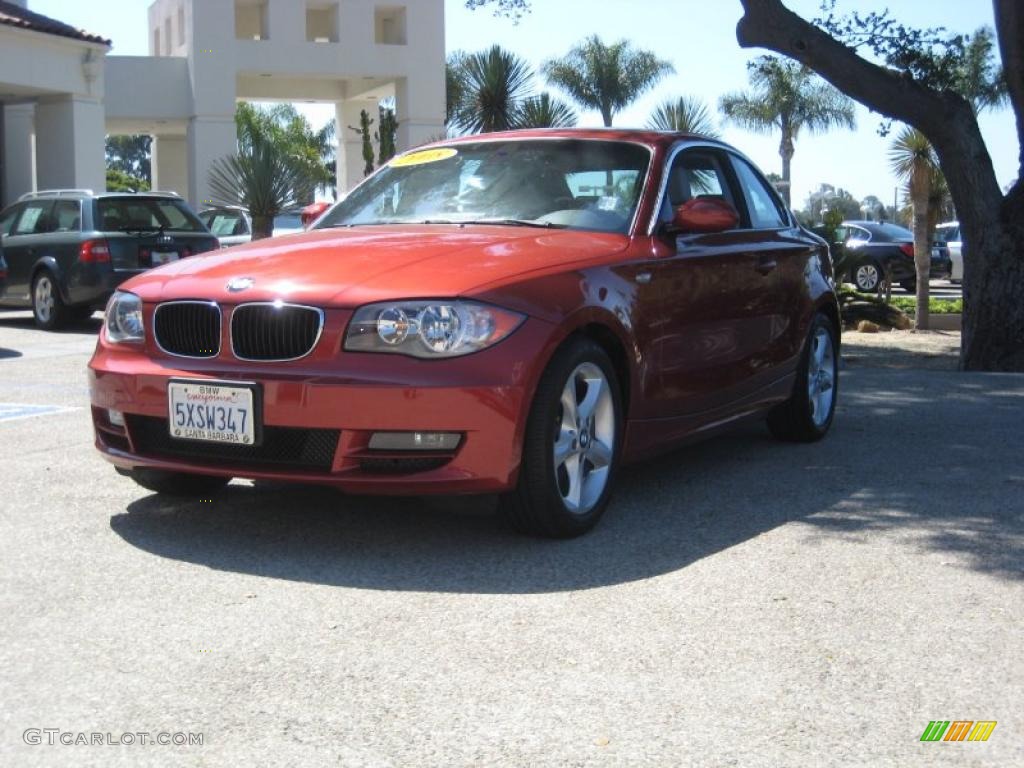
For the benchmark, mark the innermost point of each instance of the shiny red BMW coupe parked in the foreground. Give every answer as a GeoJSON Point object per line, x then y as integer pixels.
{"type": "Point", "coordinates": [519, 314]}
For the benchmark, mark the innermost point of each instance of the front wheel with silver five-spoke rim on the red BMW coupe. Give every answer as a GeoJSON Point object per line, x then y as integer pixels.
{"type": "Point", "coordinates": [572, 446]}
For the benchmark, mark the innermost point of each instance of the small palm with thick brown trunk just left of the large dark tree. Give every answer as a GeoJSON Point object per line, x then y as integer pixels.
{"type": "Point", "coordinates": [913, 160]}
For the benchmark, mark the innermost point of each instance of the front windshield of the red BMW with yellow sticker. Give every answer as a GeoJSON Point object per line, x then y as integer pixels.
{"type": "Point", "coordinates": [569, 184]}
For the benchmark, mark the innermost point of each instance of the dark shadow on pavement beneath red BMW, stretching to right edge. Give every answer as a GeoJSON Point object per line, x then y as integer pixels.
{"type": "Point", "coordinates": [955, 494]}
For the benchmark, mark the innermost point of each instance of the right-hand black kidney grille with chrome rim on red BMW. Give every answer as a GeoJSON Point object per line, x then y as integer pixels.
{"type": "Point", "coordinates": [275, 332]}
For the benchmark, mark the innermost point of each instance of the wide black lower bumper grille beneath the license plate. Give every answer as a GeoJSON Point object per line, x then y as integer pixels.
{"type": "Point", "coordinates": [282, 447]}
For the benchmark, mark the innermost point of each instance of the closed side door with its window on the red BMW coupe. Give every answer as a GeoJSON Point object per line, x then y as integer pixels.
{"type": "Point", "coordinates": [699, 307]}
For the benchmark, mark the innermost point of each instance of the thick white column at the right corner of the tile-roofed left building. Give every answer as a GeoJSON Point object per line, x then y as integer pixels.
{"type": "Point", "coordinates": [70, 136]}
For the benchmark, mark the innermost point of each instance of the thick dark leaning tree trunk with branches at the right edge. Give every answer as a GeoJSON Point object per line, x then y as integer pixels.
{"type": "Point", "coordinates": [994, 227]}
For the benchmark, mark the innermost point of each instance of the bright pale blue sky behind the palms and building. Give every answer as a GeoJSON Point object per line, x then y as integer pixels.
{"type": "Point", "coordinates": [698, 36]}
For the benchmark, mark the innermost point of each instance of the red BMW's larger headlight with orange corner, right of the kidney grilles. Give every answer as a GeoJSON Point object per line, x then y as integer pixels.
{"type": "Point", "coordinates": [430, 329]}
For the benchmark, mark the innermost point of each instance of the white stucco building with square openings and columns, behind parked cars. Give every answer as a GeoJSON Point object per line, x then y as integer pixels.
{"type": "Point", "coordinates": [62, 93]}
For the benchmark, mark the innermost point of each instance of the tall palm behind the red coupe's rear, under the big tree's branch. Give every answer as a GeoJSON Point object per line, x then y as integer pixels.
{"type": "Point", "coordinates": [787, 97]}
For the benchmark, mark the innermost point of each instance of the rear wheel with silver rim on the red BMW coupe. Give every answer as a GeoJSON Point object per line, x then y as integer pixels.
{"type": "Point", "coordinates": [808, 414]}
